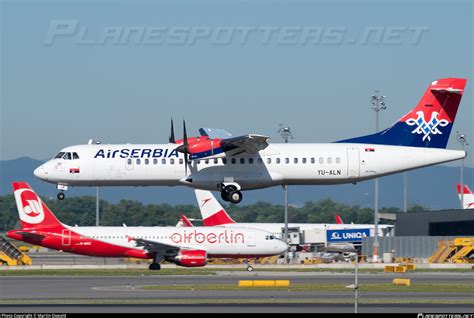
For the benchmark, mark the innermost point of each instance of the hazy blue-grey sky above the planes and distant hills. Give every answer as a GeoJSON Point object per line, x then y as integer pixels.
{"type": "Point", "coordinates": [118, 70]}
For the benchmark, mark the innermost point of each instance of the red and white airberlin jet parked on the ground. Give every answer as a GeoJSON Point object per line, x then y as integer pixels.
{"type": "Point", "coordinates": [189, 247]}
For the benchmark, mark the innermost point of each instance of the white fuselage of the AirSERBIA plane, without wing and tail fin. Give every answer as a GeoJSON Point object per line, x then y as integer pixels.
{"type": "Point", "coordinates": [278, 164]}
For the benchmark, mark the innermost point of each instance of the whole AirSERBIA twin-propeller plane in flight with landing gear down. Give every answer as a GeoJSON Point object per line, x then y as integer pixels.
{"type": "Point", "coordinates": [219, 162]}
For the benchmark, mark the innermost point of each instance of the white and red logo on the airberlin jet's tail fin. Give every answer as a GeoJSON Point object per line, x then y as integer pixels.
{"type": "Point", "coordinates": [30, 206]}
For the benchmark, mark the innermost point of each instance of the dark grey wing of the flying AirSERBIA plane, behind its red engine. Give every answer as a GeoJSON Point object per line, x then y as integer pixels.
{"type": "Point", "coordinates": [251, 144]}
